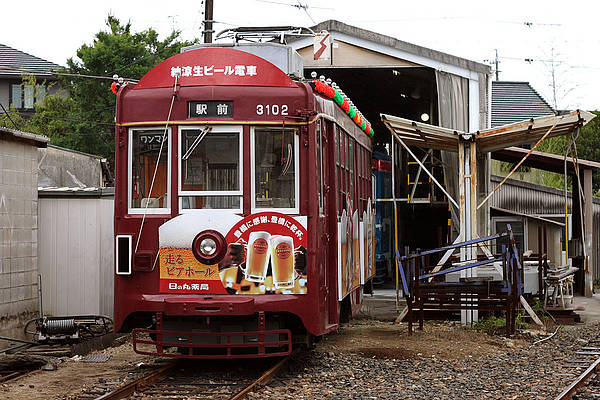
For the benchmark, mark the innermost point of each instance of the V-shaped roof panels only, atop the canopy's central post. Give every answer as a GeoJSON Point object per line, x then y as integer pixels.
{"type": "Point", "coordinates": [525, 132]}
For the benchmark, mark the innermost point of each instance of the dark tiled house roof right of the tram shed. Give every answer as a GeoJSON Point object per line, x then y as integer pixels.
{"type": "Point", "coordinates": [516, 101]}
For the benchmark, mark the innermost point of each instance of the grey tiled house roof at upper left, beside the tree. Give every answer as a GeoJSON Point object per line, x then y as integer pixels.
{"type": "Point", "coordinates": [14, 62]}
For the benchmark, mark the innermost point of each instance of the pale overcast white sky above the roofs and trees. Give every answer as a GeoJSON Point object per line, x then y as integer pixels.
{"type": "Point", "coordinates": [533, 38]}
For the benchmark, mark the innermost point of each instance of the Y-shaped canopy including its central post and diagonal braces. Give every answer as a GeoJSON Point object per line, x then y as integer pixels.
{"type": "Point", "coordinates": [468, 145]}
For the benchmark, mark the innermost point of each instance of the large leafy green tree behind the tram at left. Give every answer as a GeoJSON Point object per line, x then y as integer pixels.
{"type": "Point", "coordinates": [84, 119]}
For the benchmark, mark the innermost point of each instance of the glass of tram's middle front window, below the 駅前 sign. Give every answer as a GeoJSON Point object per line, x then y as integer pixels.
{"type": "Point", "coordinates": [210, 168]}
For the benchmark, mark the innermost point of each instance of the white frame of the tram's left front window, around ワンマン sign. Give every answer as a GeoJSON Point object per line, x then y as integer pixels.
{"type": "Point", "coordinates": [148, 210]}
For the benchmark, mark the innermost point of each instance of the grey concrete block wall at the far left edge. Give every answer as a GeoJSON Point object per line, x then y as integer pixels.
{"type": "Point", "coordinates": [18, 228]}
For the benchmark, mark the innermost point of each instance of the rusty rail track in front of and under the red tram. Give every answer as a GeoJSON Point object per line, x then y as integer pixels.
{"type": "Point", "coordinates": [199, 380]}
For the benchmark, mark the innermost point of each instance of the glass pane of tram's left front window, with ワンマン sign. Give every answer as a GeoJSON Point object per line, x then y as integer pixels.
{"type": "Point", "coordinates": [145, 154]}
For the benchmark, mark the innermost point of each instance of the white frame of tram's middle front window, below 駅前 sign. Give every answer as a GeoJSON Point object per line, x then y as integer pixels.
{"type": "Point", "coordinates": [239, 129]}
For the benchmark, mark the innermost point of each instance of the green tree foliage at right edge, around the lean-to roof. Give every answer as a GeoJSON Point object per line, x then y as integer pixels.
{"type": "Point", "coordinates": [588, 148]}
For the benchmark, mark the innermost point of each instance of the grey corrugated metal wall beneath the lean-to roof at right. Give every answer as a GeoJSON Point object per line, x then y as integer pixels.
{"type": "Point", "coordinates": [531, 198]}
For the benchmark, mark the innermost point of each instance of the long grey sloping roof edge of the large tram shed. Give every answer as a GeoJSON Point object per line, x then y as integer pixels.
{"type": "Point", "coordinates": [420, 53]}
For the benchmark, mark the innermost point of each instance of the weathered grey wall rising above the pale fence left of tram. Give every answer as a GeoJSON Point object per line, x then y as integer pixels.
{"type": "Point", "coordinates": [68, 168]}
